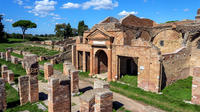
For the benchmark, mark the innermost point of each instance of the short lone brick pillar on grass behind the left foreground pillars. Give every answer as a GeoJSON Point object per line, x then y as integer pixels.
{"type": "Point", "coordinates": [48, 70]}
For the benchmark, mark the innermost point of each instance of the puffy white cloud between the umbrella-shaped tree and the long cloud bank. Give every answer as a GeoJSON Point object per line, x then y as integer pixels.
{"type": "Point", "coordinates": [43, 8]}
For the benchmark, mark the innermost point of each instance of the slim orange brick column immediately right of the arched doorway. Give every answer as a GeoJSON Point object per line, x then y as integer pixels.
{"type": "Point", "coordinates": [109, 64]}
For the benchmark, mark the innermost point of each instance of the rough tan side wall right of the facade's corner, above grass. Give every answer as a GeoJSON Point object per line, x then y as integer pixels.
{"type": "Point", "coordinates": [176, 65]}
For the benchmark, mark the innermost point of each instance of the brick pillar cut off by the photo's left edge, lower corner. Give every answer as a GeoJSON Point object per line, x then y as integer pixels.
{"type": "Point", "coordinates": [3, 104]}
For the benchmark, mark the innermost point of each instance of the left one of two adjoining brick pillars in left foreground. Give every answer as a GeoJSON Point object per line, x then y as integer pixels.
{"type": "Point", "coordinates": [23, 84]}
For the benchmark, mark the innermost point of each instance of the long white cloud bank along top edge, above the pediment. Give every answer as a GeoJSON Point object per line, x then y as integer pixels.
{"type": "Point", "coordinates": [95, 4]}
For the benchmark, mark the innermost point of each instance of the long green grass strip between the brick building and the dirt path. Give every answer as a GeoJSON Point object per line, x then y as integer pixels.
{"type": "Point", "coordinates": [165, 101]}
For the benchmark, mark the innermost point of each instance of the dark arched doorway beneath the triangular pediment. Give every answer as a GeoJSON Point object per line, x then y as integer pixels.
{"type": "Point", "coordinates": [101, 62]}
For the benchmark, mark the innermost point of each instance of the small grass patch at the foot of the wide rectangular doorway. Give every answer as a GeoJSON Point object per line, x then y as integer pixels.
{"type": "Point", "coordinates": [132, 80]}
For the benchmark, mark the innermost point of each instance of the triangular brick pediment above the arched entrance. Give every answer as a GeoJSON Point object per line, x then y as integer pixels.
{"type": "Point", "coordinates": [98, 34]}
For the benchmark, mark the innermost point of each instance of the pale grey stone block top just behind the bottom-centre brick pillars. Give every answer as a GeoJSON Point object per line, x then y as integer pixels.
{"type": "Point", "coordinates": [101, 84]}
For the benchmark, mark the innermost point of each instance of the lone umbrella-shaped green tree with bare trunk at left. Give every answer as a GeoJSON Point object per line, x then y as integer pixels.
{"type": "Point", "coordinates": [24, 25]}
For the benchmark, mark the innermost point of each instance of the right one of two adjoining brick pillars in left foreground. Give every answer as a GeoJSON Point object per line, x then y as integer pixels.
{"type": "Point", "coordinates": [33, 89]}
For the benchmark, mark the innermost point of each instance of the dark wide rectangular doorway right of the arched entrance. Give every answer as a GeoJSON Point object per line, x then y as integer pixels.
{"type": "Point", "coordinates": [128, 66]}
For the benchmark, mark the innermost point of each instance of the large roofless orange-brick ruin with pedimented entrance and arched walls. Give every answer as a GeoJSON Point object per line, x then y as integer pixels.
{"type": "Point", "coordinates": [158, 54]}
